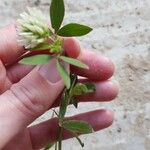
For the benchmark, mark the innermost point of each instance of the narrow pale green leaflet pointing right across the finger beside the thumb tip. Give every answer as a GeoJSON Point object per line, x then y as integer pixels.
{"type": "Point", "coordinates": [74, 62]}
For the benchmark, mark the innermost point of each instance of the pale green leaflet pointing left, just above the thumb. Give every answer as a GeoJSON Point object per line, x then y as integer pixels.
{"type": "Point", "coordinates": [36, 60]}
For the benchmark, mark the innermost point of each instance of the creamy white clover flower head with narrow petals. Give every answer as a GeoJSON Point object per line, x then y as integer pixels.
{"type": "Point", "coordinates": [32, 28]}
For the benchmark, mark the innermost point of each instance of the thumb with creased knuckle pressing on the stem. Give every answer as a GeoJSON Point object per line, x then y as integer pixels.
{"type": "Point", "coordinates": [28, 99]}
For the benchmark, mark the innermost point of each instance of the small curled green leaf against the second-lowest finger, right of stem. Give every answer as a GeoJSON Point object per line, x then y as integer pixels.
{"type": "Point", "coordinates": [81, 89]}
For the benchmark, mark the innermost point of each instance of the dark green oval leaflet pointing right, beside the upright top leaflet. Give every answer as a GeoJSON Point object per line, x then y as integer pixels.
{"type": "Point", "coordinates": [74, 29]}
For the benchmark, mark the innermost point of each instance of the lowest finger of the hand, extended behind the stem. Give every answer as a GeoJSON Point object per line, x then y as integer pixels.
{"type": "Point", "coordinates": [47, 132]}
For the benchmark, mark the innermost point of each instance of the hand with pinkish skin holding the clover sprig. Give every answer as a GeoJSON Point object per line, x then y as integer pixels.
{"type": "Point", "coordinates": [29, 91]}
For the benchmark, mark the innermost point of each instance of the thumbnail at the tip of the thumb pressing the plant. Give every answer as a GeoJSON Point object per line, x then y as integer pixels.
{"type": "Point", "coordinates": [49, 71]}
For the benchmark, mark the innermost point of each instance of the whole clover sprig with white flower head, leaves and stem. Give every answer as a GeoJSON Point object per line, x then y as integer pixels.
{"type": "Point", "coordinates": [44, 43]}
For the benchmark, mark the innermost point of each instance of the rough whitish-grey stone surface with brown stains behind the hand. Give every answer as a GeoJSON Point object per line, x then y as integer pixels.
{"type": "Point", "coordinates": [121, 31]}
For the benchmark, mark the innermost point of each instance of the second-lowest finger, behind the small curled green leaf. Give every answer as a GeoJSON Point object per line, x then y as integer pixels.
{"type": "Point", "coordinates": [105, 91]}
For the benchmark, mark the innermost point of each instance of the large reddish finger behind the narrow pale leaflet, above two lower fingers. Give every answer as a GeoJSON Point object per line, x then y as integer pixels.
{"type": "Point", "coordinates": [100, 67]}
